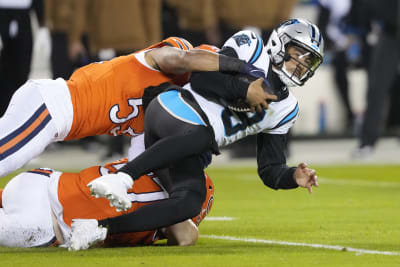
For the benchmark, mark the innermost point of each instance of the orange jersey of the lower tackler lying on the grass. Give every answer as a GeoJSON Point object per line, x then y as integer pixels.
{"type": "Point", "coordinates": [77, 202]}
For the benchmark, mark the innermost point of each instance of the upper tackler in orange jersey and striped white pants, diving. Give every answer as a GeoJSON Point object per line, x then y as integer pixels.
{"type": "Point", "coordinates": [102, 98]}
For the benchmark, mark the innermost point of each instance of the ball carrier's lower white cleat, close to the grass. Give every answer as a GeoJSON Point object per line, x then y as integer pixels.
{"type": "Point", "coordinates": [85, 234]}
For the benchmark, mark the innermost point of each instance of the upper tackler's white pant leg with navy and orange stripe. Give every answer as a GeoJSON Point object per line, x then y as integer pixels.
{"type": "Point", "coordinates": [25, 129]}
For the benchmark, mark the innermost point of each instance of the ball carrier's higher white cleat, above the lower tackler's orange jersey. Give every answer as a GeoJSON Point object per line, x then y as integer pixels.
{"type": "Point", "coordinates": [114, 187]}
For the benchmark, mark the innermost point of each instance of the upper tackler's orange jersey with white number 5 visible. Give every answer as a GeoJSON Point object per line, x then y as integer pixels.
{"type": "Point", "coordinates": [106, 96]}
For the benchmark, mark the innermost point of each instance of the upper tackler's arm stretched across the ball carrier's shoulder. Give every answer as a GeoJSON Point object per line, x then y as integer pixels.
{"type": "Point", "coordinates": [176, 61]}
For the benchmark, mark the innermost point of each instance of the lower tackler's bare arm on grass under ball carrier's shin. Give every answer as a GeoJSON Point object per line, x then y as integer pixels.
{"type": "Point", "coordinates": [184, 233]}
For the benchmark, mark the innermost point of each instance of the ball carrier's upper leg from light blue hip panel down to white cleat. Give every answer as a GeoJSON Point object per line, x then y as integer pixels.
{"type": "Point", "coordinates": [173, 131]}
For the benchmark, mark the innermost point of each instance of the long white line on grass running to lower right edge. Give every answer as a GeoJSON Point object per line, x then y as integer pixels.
{"type": "Point", "coordinates": [285, 243]}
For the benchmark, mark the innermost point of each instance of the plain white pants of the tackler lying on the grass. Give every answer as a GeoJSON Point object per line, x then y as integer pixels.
{"type": "Point", "coordinates": [25, 219]}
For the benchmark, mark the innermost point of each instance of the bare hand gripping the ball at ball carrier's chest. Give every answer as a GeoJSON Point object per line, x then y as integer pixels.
{"type": "Point", "coordinates": [257, 97]}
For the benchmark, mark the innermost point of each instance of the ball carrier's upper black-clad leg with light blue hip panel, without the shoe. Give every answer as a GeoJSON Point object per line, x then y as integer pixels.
{"type": "Point", "coordinates": [171, 134]}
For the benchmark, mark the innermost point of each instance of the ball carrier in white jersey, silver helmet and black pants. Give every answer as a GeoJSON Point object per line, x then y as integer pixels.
{"type": "Point", "coordinates": [182, 126]}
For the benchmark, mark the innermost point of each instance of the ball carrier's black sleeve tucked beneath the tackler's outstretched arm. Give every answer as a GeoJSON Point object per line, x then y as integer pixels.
{"type": "Point", "coordinates": [219, 85]}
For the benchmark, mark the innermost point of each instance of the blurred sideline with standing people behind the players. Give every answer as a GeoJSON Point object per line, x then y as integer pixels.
{"type": "Point", "coordinates": [345, 109]}
